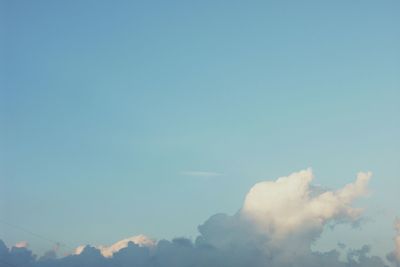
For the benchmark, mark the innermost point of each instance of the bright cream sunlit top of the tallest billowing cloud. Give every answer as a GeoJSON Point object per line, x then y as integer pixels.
{"type": "Point", "coordinates": [289, 206]}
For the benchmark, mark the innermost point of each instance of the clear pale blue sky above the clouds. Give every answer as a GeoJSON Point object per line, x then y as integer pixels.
{"type": "Point", "coordinates": [146, 117]}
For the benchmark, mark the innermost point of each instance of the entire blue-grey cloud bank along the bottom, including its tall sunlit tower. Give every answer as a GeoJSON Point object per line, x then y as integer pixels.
{"type": "Point", "coordinates": [276, 226]}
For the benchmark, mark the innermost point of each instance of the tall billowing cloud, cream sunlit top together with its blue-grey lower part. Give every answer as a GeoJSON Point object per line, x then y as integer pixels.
{"type": "Point", "coordinates": [280, 219]}
